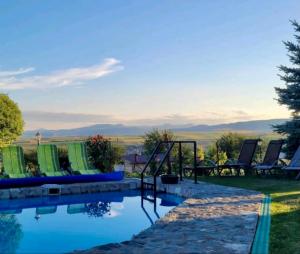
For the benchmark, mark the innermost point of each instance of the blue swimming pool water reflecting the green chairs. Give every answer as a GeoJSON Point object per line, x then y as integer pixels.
{"type": "Point", "coordinates": [66, 223]}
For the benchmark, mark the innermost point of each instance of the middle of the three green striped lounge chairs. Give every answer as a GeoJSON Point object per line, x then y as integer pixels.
{"type": "Point", "coordinates": [48, 161]}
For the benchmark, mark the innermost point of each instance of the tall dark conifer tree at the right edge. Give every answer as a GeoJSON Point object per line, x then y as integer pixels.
{"type": "Point", "coordinates": [290, 94]}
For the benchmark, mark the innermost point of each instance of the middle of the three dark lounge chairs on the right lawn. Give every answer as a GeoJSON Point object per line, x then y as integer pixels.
{"type": "Point", "coordinates": [271, 159]}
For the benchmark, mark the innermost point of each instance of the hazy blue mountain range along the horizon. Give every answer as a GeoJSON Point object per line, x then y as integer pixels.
{"type": "Point", "coordinates": [120, 129]}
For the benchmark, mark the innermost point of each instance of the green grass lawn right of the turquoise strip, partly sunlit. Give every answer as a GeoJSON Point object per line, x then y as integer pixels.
{"type": "Point", "coordinates": [285, 208]}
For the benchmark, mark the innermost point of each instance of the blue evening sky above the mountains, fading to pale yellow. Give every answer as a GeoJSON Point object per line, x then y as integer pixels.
{"type": "Point", "coordinates": [74, 63]}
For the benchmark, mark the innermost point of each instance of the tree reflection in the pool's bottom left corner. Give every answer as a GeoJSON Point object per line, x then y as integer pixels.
{"type": "Point", "coordinates": [10, 233]}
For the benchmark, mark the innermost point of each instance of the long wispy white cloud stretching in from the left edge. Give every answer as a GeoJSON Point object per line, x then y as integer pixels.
{"type": "Point", "coordinates": [9, 80]}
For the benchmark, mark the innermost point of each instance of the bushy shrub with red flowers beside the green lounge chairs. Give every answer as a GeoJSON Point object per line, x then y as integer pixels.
{"type": "Point", "coordinates": [102, 153]}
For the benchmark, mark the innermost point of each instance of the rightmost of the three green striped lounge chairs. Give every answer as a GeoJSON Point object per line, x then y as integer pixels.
{"type": "Point", "coordinates": [78, 159]}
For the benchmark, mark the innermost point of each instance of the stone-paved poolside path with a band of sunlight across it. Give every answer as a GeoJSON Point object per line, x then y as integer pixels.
{"type": "Point", "coordinates": [213, 219]}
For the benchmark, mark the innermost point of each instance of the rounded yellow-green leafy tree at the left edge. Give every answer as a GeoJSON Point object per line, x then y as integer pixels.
{"type": "Point", "coordinates": [11, 121]}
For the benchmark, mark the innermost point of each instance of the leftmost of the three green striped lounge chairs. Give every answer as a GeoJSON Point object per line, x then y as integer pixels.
{"type": "Point", "coordinates": [13, 162]}
